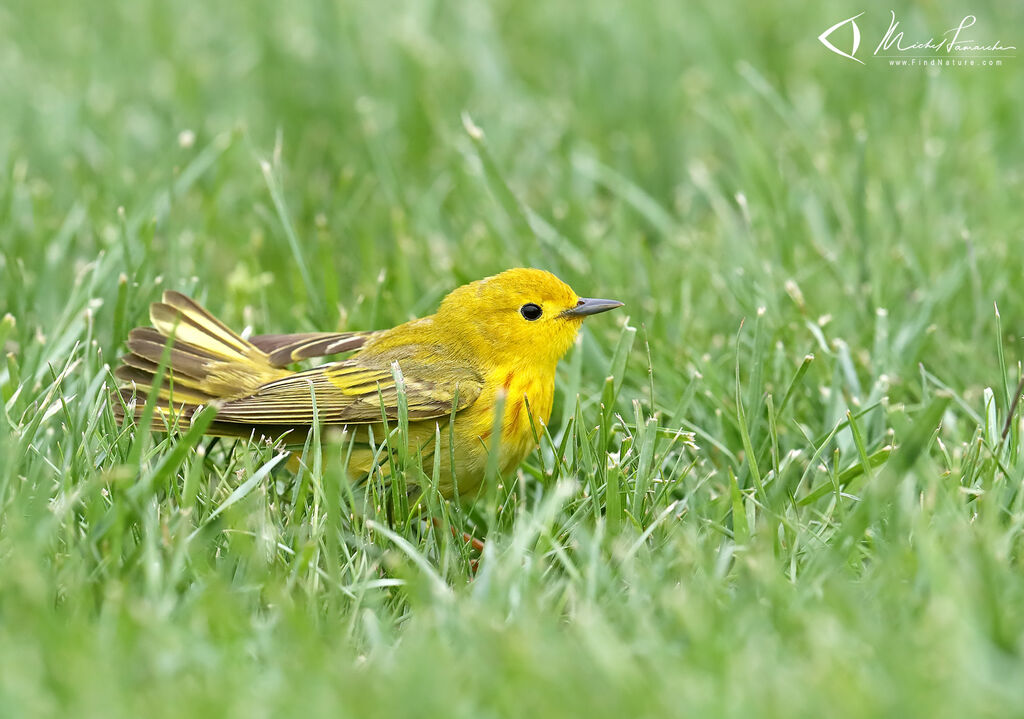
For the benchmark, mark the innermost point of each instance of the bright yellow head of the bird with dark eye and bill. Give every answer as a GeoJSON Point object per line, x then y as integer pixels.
{"type": "Point", "coordinates": [520, 316]}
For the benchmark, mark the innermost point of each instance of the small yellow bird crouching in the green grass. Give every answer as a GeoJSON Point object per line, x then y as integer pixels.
{"type": "Point", "coordinates": [496, 339]}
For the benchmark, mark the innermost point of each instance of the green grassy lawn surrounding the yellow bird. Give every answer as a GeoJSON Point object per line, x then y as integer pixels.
{"type": "Point", "coordinates": [799, 494]}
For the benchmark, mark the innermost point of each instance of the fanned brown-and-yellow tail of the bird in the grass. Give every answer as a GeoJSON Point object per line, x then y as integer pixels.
{"type": "Point", "coordinates": [204, 362]}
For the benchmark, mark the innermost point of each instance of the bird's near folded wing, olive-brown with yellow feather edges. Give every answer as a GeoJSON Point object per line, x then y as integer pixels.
{"type": "Point", "coordinates": [357, 391]}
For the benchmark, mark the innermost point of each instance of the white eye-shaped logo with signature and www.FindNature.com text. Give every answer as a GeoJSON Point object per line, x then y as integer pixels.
{"type": "Point", "coordinates": [955, 47]}
